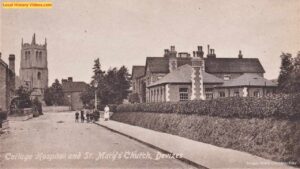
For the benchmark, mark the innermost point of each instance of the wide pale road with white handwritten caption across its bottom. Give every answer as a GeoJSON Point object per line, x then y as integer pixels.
{"type": "Point", "coordinates": [54, 140]}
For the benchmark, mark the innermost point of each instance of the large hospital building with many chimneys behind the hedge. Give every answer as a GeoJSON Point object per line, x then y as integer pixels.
{"type": "Point", "coordinates": [180, 77]}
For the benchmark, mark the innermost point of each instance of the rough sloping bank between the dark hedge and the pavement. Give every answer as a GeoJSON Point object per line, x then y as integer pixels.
{"type": "Point", "coordinates": [270, 138]}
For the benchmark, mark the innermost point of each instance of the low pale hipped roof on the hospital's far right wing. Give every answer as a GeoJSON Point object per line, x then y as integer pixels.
{"type": "Point", "coordinates": [249, 80]}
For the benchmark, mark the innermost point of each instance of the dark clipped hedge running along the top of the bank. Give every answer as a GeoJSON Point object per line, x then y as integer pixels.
{"type": "Point", "coordinates": [280, 106]}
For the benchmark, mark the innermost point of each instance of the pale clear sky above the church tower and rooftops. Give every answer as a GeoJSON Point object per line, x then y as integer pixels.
{"type": "Point", "coordinates": [125, 32]}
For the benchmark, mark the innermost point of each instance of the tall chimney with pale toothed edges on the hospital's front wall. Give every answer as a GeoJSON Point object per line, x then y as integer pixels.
{"type": "Point", "coordinates": [197, 76]}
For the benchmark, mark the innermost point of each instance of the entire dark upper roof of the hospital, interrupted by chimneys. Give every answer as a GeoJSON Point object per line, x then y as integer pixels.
{"type": "Point", "coordinates": [216, 65]}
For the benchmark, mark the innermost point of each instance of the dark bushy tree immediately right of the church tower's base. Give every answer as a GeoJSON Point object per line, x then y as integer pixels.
{"type": "Point", "coordinates": [54, 95]}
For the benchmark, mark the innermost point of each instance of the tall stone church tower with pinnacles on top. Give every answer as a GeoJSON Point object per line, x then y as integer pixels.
{"type": "Point", "coordinates": [34, 67]}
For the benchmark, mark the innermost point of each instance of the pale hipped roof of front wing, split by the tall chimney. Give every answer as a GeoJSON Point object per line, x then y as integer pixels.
{"type": "Point", "coordinates": [183, 75]}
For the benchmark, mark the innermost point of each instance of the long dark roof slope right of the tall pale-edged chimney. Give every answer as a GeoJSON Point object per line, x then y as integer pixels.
{"type": "Point", "coordinates": [233, 65]}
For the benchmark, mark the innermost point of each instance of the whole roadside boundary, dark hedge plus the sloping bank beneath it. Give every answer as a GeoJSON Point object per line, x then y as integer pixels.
{"type": "Point", "coordinates": [271, 131]}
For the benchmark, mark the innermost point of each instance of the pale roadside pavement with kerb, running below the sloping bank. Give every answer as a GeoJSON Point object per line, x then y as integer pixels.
{"type": "Point", "coordinates": [193, 152]}
